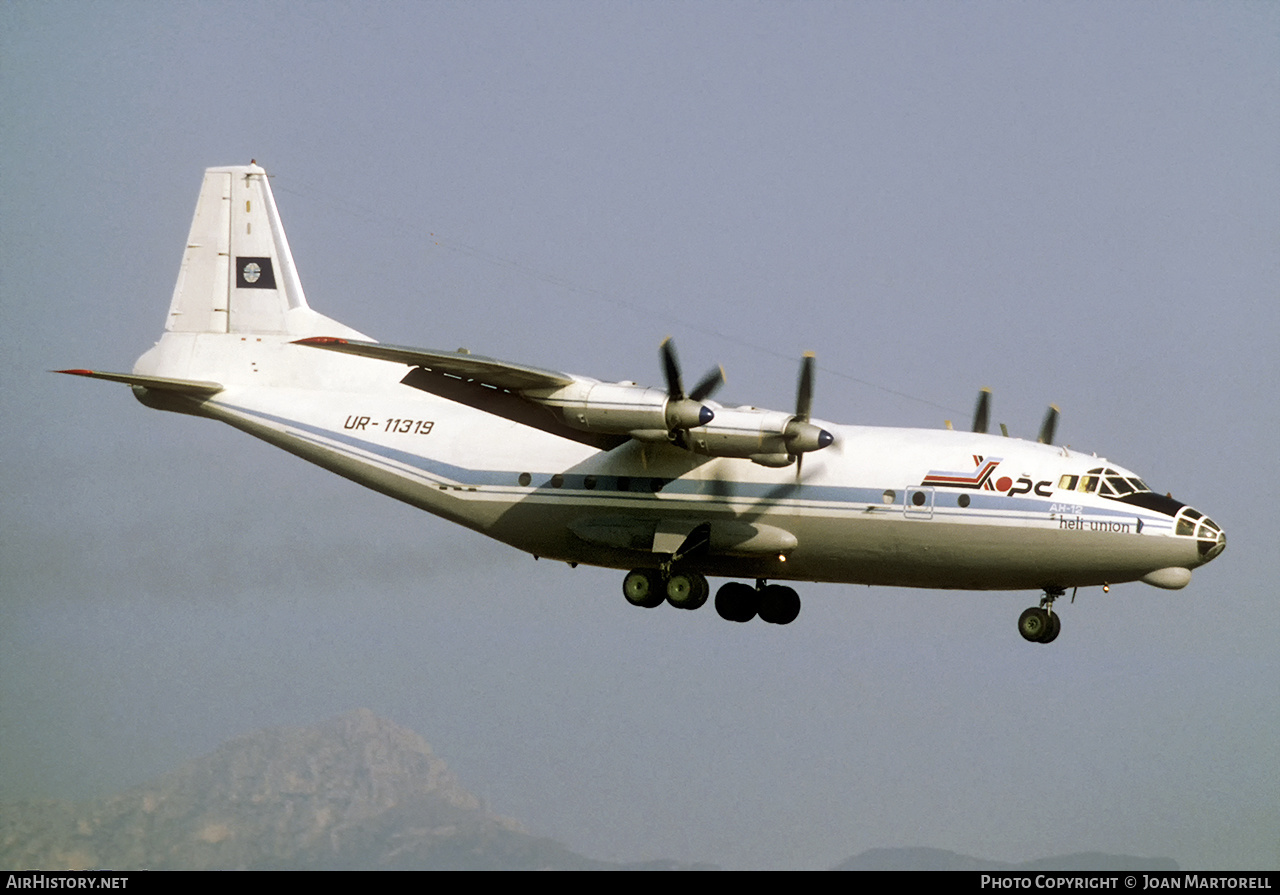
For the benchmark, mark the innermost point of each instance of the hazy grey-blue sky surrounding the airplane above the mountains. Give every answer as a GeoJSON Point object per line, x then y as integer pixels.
{"type": "Point", "coordinates": [1072, 203]}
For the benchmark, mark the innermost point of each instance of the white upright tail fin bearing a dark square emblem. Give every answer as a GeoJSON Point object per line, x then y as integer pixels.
{"type": "Point", "coordinates": [237, 272]}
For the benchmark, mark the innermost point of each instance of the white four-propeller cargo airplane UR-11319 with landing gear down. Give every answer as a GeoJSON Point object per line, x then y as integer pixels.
{"type": "Point", "coordinates": [662, 483]}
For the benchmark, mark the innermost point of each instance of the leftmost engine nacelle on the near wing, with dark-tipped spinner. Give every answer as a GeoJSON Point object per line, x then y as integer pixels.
{"type": "Point", "coordinates": [623, 409]}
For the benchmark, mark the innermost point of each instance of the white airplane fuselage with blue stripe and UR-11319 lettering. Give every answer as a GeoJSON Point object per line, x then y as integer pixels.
{"type": "Point", "coordinates": [912, 508]}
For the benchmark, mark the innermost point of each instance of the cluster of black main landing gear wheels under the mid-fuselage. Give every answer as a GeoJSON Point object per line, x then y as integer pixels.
{"type": "Point", "coordinates": [735, 601]}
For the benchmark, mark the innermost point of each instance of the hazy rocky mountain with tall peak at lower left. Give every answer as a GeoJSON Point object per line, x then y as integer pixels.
{"type": "Point", "coordinates": [353, 793]}
